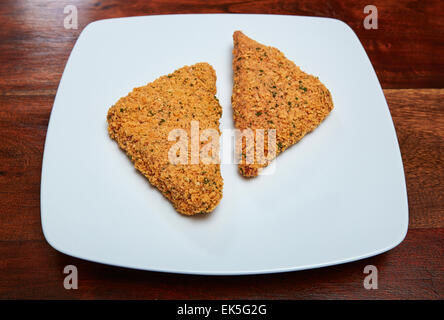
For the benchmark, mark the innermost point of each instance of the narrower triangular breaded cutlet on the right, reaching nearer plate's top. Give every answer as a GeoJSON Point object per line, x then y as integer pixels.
{"type": "Point", "coordinates": [271, 92]}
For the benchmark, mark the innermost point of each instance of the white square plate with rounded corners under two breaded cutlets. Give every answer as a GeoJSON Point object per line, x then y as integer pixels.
{"type": "Point", "coordinates": [337, 196]}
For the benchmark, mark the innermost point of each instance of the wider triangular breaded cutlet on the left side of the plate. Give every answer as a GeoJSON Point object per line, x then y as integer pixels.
{"type": "Point", "coordinates": [142, 121]}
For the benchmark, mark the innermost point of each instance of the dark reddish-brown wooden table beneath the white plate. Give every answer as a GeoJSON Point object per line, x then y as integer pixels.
{"type": "Point", "coordinates": [407, 53]}
